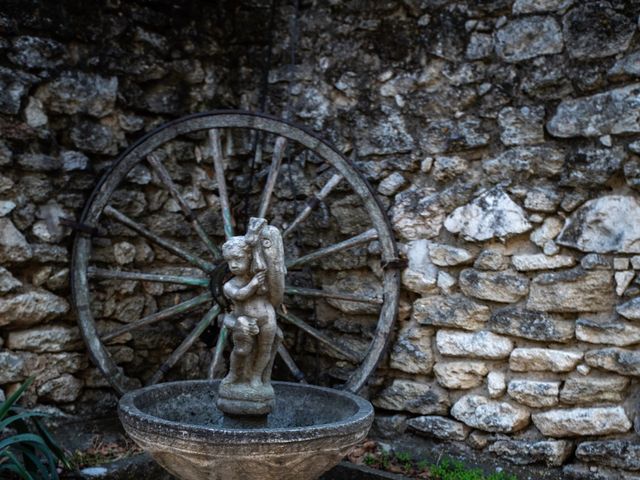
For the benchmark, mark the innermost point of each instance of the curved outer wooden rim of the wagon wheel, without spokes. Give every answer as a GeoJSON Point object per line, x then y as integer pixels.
{"type": "Point", "coordinates": [214, 121]}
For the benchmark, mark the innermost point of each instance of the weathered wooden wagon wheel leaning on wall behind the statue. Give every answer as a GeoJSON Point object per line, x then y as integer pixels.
{"type": "Point", "coordinates": [106, 216]}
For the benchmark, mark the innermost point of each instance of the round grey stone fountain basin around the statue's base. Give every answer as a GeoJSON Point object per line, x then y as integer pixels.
{"type": "Point", "coordinates": [309, 431]}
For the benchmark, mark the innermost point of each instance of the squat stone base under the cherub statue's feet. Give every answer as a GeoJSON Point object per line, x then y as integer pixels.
{"type": "Point", "coordinates": [244, 399]}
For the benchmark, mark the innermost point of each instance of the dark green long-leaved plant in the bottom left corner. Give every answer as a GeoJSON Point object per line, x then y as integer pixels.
{"type": "Point", "coordinates": [27, 448]}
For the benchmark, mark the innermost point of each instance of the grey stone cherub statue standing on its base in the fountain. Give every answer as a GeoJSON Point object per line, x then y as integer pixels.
{"type": "Point", "coordinates": [257, 288]}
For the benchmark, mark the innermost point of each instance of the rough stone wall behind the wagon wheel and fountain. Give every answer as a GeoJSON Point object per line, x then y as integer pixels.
{"type": "Point", "coordinates": [502, 135]}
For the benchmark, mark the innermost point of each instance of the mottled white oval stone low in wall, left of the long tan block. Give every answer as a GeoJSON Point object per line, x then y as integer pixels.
{"type": "Point", "coordinates": [490, 415]}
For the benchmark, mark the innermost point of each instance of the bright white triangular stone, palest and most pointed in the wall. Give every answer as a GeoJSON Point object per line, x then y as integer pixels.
{"type": "Point", "coordinates": [491, 215]}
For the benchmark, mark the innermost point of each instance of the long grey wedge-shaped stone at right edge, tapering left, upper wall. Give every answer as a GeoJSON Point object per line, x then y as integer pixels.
{"type": "Point", "coordinates": [611, 112]}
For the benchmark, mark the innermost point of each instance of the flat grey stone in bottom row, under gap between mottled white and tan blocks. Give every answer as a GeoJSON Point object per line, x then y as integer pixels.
{"type": "Point", "coordinates": [522, 452]}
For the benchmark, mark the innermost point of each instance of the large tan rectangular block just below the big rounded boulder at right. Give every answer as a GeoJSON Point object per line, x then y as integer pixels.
{"type": "Point", "coordinates": [573, 290]}
